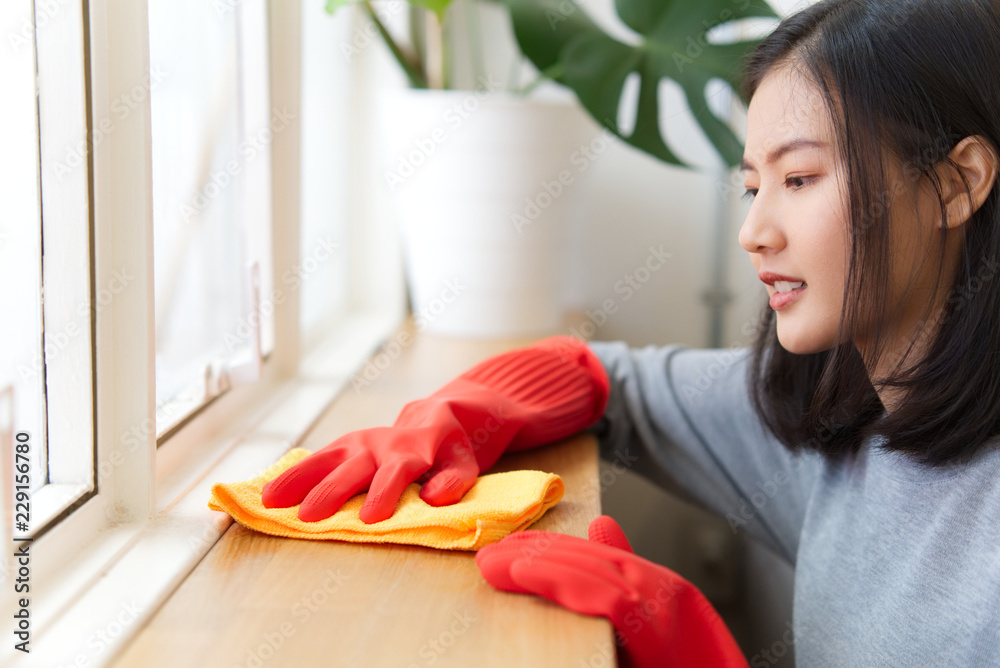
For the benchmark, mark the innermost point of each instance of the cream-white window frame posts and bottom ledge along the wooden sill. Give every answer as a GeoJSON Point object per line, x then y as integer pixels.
{"type": "Point", "coordinates": [98, 574]}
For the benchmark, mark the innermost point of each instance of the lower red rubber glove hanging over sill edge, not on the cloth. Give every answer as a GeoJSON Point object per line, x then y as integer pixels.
{"type": "Point", "coordinates": [660, 618]}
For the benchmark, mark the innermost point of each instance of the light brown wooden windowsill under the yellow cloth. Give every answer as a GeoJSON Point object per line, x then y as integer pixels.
{"type": "Point", "coordinates": [256, 600]}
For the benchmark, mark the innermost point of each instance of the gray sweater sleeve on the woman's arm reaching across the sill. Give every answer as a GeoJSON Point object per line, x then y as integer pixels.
{"type": "Point", "coordinates": [683, 419]}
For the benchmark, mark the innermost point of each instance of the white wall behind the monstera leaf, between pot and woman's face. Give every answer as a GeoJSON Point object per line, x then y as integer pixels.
{"type": "Point", "coordinates": [630, 201]}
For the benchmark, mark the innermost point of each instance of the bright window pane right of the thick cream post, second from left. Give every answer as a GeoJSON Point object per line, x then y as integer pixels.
{"type": "Point", "coordinates": [202, 229]}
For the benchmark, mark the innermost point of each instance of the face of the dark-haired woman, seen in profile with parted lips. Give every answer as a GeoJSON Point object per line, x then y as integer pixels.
{"type": "Point", "coordinates": [796, 230]}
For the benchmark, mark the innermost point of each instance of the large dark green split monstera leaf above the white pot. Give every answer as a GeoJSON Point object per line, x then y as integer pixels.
{"type": "Point", "coordinates": [565, 44]}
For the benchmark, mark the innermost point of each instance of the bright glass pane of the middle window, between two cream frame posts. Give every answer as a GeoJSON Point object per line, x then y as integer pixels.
{"type": "Point", "coordinates": [211, 135]}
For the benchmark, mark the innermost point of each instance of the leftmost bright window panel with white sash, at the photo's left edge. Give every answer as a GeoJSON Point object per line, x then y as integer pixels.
{"type": "Point", "coordinates": [46, 369]}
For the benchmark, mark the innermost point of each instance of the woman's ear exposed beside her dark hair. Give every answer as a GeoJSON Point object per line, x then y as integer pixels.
{"type": "Point", "coordinates": [968, 180]}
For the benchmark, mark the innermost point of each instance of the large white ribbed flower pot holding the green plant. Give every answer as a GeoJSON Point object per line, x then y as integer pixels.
{"type": "Point", "coordinates": [483, 212]}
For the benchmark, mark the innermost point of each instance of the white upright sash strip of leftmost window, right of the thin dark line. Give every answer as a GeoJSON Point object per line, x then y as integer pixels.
{"type": "Point", "coordinates": [69, 296]}
